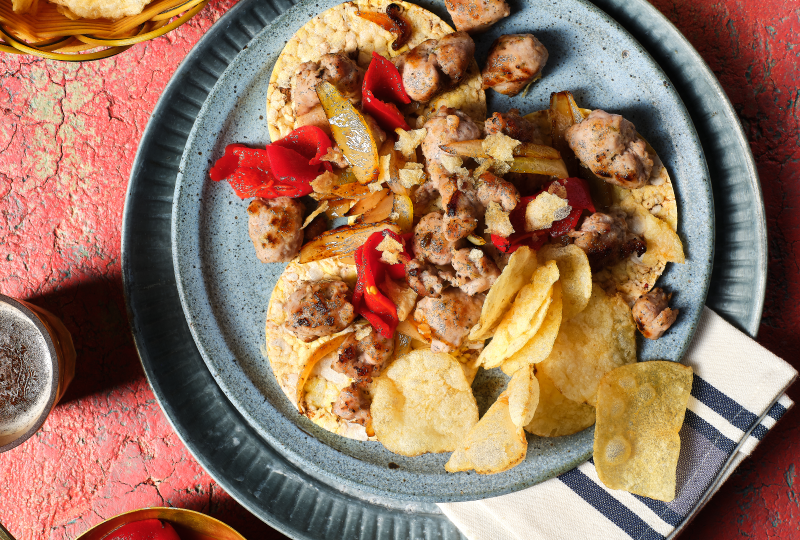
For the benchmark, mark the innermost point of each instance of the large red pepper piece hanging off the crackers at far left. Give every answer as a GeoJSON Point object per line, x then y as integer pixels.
{"type": "Point", "coordinates": [284, 168]}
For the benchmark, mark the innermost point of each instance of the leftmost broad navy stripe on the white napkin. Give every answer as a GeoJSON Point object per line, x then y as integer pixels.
{"type": "Point", "coordinates": [619, 514]}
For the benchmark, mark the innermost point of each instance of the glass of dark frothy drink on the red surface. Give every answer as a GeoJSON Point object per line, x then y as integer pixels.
{"type": "Point", "coordinates": [37, 363]}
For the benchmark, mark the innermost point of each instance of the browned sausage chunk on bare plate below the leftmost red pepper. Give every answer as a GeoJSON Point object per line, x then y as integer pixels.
{"type": "Point", "coordinates": [274, 227]}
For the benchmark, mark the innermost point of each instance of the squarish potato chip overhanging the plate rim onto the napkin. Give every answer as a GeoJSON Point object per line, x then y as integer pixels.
{"type": "Point", "coordinates": [640, 410]}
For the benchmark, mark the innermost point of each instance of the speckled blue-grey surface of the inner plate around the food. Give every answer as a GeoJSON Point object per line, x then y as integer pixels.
{"type": "Point", "coordinates": [225, 290]}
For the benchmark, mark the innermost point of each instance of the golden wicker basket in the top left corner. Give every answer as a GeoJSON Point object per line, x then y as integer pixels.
{"type": "Point", "coordinates": [49, 34]}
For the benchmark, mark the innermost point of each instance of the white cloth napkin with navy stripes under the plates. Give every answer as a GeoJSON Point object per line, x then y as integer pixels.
{"type": "Point", "coordinates": [737, 396]}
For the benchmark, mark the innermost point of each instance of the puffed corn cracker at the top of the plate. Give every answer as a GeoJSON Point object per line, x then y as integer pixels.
{"type": "Point", "coordinates": [340, 30]}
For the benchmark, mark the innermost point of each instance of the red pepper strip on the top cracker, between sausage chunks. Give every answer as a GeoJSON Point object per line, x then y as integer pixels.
{"type": "Point", "coordinates": [381, 91]}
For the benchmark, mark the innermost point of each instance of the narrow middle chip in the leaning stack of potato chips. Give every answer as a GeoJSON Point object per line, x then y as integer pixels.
{"type": "Point", "coordinates": [523, 320]}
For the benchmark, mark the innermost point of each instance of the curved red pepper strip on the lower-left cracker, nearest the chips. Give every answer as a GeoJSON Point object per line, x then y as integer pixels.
{"type": "Point", "coordinates": [368, 299]}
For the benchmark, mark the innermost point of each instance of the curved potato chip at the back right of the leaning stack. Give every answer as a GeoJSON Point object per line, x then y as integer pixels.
{"type": "Point", "coordinates": [575, 276]}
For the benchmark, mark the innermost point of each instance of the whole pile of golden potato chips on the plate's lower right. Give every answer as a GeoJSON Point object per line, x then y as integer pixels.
{"type": "Point", "coordinates": [570, 349]}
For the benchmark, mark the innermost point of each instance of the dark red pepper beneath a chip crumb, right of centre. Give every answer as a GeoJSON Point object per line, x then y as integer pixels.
{"type": "Point", "coordinates": [578, 198]}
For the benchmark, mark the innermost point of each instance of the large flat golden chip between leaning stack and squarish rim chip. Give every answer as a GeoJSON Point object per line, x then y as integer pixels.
{"type": "Point", "coordinates": [600, 338]}
